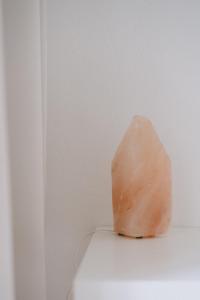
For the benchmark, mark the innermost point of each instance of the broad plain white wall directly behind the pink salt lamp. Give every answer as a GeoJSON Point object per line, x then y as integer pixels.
{"type": "Point", "coordinates": [107, 61]}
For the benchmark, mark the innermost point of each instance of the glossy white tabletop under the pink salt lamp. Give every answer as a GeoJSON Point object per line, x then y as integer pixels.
{"type": "Point", "coordinates": [116, 267]}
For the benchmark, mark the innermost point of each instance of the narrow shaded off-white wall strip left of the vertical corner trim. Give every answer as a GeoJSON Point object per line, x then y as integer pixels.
{"type": "Point", "coordinates": [24, 110]}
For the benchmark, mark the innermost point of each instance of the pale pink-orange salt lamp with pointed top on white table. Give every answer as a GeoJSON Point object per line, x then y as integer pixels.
{"type": "Point", "coordinates": [141, 183]}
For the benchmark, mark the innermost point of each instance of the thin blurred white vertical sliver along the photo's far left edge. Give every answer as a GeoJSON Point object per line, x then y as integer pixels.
{"type": "Point", "coordinates": [6, 242]}
